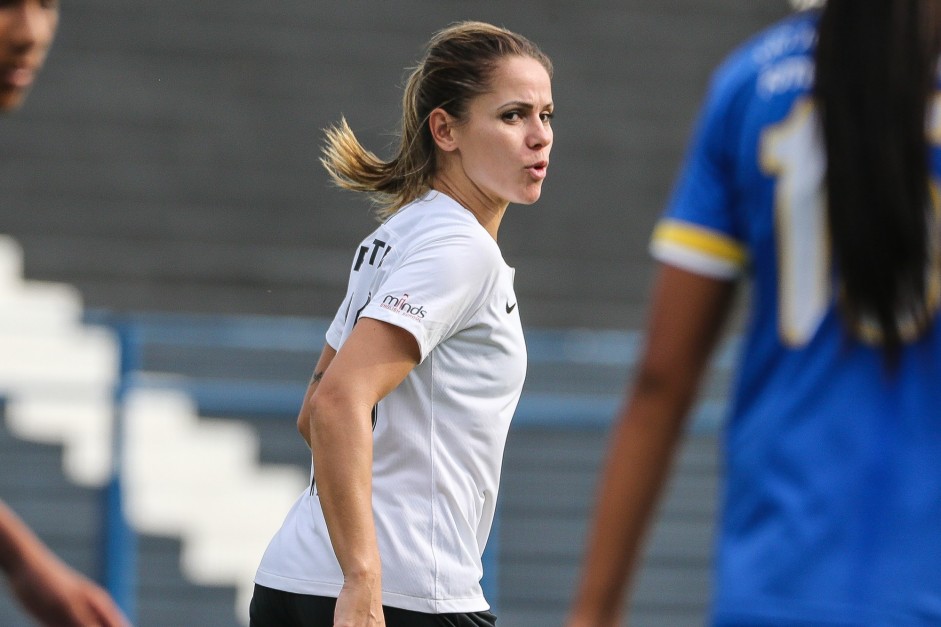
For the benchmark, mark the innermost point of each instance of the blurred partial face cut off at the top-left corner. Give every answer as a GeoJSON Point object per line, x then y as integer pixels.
{"type": "Point", "coordinates": [27, 28]}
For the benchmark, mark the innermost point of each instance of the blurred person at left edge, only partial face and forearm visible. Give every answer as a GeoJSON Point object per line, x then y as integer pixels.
{"type": "Point", "coordinates": [50, 591]}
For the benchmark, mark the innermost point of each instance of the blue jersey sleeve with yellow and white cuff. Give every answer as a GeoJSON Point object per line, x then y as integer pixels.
{"type": "Point", "coordinates": [698, 230]}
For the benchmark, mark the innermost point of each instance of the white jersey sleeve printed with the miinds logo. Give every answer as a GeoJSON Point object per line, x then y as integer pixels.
{"type": "Point", "coordinates": [437, 288]}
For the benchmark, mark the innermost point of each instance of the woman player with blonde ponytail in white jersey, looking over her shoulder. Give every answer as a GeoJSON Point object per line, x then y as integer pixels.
{"type": "Point", "coordinates": [410, 402]}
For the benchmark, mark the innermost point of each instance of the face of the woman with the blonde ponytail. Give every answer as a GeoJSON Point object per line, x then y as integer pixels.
{"type": "Point", "coordinates": [505, 140]}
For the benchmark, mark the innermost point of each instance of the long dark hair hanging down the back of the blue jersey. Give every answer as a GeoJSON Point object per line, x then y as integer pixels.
{"type": "Point", "coordinates": [875, 83]}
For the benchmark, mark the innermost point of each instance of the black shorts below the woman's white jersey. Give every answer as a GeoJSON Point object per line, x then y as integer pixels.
{"type": "Point", "coordinates": [275, 608]}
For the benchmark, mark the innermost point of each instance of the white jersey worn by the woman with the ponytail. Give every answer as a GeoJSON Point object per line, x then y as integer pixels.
{"type": "Point", "coordinates": [439, 436]}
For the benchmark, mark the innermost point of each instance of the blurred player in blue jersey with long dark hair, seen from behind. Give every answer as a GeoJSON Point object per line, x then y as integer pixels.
{"type": "Point", "coordinates": [813, 172]}
